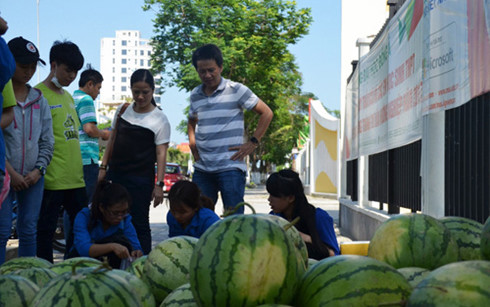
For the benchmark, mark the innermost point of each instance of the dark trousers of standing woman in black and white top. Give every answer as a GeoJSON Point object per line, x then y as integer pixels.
{"type": "Point", "coordinates": [140, 189]}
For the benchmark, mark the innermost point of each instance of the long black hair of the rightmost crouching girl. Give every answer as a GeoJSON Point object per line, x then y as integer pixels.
{"type": "Point", "coordinates": [287, 183]}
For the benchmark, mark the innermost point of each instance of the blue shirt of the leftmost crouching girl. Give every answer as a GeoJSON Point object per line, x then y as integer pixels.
{"type": "Point", "coordinates": [83, 238]}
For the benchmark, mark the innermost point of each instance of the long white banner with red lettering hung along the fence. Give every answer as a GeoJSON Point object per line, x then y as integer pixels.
{"type": "Point", "coordinates": [432, 56]}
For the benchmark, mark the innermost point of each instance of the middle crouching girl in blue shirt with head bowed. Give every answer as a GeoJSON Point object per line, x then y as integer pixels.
{"type": "Point", "coordinates": [191, 213]}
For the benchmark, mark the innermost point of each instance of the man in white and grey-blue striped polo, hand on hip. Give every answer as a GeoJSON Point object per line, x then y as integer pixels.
{"type": "Point", "coordinates": [216, 129]}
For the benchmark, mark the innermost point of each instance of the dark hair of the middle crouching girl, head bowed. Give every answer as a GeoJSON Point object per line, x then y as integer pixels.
{"type": "Point", "coordinates": [188, 193]}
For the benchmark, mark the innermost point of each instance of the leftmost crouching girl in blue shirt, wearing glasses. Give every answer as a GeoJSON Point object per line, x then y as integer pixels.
{"type": "Point", "coordinates": [105, 229]}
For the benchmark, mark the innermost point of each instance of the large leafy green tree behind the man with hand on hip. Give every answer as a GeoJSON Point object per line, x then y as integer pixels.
{"type": "Point", "coordinates": [254, 37]}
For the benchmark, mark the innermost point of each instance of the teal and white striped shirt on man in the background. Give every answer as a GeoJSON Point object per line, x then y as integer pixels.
{"type": "Point", "coordinates": [89, 146]}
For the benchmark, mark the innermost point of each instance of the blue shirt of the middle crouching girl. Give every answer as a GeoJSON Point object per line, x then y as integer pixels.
{"type": "Point", "coordinates": [200, 222]}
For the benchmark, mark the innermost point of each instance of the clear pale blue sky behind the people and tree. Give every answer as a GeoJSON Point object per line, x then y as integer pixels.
{"type": "Point", "coordinates": [86, 22]}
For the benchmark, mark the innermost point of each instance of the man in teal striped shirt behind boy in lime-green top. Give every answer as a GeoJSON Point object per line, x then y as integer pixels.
{"type": "Point", "coordinates": [90, 83]}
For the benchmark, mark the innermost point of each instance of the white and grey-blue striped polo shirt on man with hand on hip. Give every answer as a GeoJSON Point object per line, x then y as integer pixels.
{"type": "Point", "coordinates": [220, 124]}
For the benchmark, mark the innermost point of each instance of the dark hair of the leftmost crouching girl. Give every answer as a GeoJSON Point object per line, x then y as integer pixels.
{"type": "Point", "coordinates": [106, 195]}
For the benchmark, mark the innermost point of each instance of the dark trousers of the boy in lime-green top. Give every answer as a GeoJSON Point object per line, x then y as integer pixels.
{"type": "Point", "coordinates": [72, 200]}
